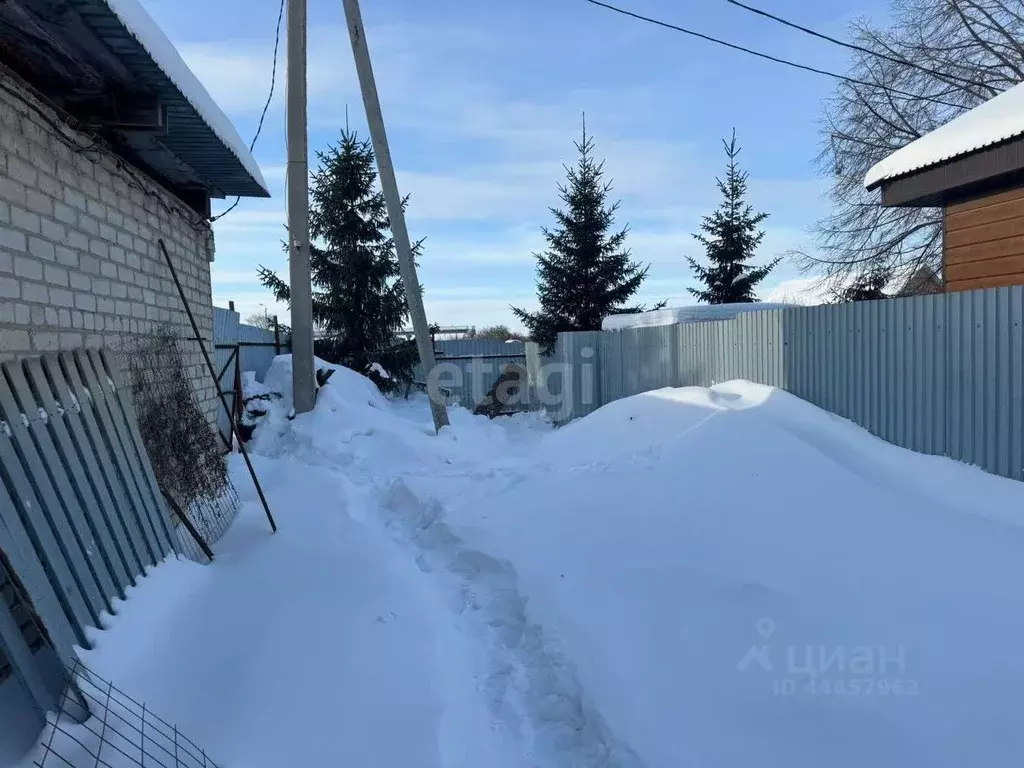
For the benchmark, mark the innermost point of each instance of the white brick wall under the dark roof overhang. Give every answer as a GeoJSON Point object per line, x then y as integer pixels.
{"type": "Point", "coordinates": [79, 261]}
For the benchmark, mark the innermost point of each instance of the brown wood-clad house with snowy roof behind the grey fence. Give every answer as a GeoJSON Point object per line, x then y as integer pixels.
{"type": "Point", "coordinates": [973, 169]}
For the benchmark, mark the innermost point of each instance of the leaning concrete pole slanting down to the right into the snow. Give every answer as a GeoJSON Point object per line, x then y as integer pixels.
{"type": "Point", "coordinates": [390, 185]}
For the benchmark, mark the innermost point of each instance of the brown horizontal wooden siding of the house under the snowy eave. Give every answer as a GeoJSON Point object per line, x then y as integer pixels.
{"type": "Point", "coordinates": [985, 242]}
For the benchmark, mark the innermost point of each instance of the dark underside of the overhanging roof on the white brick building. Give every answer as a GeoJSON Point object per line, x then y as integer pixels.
{"type": "Point", "coordinates": [82, 57]}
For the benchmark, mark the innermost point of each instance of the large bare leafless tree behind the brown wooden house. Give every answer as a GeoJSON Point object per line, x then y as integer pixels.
{"type": "Point", "coordinates": [956, 55]}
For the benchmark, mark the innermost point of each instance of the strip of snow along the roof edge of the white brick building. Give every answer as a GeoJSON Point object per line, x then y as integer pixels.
{"type": "Point", "coordinates": [152, 38]}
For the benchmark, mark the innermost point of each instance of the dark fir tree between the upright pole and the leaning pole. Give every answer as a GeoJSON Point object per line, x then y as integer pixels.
{"type": "Point", "coordinates": [359, 300]}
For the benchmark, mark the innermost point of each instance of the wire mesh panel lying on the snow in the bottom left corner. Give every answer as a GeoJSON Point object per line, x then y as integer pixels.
{"type": "Point", "coordinates": [98, 726]}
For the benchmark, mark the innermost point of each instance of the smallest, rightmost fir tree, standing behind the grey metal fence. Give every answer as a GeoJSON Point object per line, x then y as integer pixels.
{"type": "Point", "coordinates": [731, 236]}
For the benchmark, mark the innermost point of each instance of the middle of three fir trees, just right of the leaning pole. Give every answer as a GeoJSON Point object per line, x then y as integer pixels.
{"type": "Point", "coordinates": [586, 273]}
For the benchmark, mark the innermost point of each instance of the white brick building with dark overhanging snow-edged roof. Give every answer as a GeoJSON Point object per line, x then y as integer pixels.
{"type": "Point", "coordinates": [108, 144]}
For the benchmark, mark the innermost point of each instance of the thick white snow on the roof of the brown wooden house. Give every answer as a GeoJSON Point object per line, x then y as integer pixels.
{"type": "Point", "coordinates": [1000, 119]}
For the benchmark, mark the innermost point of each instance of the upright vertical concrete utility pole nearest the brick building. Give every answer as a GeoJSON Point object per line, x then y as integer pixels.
{"type": "Point", "coordinates": [304, 391]}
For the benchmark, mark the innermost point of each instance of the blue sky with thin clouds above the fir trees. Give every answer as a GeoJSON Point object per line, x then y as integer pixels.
{"type": "Point", "coordinates": [484, 102]}
